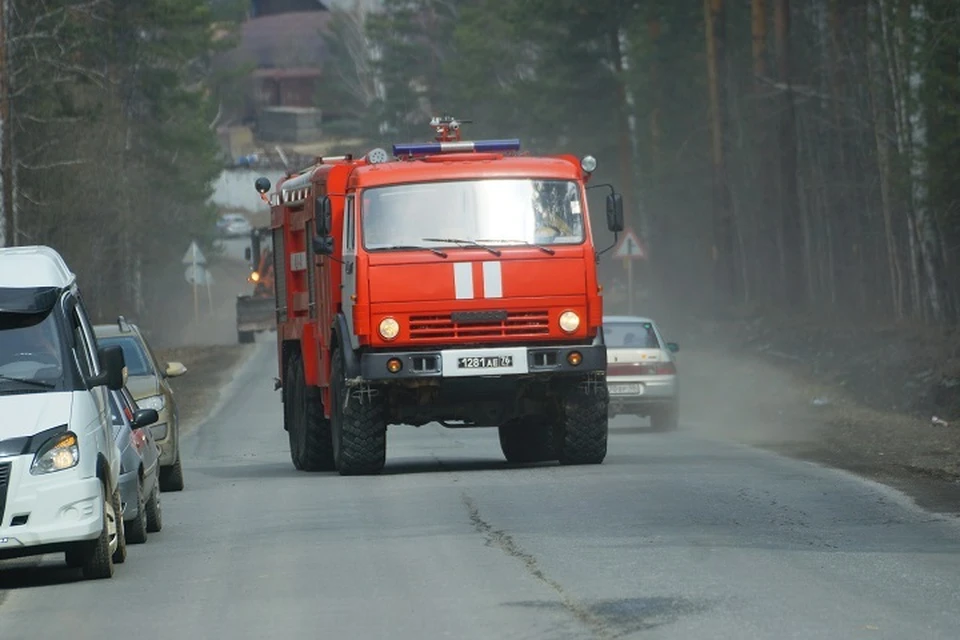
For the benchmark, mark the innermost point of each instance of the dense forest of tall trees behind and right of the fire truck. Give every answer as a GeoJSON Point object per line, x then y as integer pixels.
{"type": "Point", "coordinates": [798, 156]}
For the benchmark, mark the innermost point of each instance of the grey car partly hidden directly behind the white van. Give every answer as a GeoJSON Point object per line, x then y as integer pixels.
{"type": "Point", "coordinates": [139, 466]}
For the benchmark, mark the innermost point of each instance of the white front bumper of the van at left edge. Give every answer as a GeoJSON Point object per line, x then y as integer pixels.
{"type": "Point", "coordinates": [47, 511]}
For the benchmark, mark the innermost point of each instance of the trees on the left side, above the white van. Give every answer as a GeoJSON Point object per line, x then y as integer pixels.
{"type": "Point", "coordinates": [108, 146]}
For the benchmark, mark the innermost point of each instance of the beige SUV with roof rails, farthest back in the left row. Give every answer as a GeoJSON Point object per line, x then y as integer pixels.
{"type": "Point", "coordinates": [147, 381]}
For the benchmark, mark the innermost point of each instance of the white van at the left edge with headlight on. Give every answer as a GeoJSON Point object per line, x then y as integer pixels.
{"type": "Point", "coordinates": [59, 464]}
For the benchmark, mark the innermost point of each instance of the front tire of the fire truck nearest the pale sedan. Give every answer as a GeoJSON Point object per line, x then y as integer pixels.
{"type": "Point", "coordinates": [581, 436]}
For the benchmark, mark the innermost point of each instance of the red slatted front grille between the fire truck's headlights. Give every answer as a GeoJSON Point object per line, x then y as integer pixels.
{"type": "Point", "coordinates": [515, 324]}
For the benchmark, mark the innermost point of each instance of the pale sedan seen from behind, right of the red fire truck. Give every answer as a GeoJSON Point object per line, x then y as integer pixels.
{"type": "Point", "coordinates": [641, 371]}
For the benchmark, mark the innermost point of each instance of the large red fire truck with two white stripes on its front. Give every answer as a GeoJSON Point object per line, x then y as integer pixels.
{"type": "Point", "coordinates": [454, 283]}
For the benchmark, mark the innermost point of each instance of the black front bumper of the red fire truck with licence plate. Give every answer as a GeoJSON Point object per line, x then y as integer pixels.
{"type": "Point", "coordinates": [475, 362]}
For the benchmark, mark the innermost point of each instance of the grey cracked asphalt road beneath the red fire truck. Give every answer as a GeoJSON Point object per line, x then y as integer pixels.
{"type": "Point", "coordinates": [675, 536]}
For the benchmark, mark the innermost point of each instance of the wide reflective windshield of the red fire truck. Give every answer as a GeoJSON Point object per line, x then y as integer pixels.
{"type": "Point", "coordinates": [502, 211]}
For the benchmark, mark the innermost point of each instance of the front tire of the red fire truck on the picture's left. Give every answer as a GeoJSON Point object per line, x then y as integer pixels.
{"type": "Point", "coordinates": [359, 427]}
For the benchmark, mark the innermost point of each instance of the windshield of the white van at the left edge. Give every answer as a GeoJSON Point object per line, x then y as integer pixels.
{"type": "Point", "coordinates": [31, 352]}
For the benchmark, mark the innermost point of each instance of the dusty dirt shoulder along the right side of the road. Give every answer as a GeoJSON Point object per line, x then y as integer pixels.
{"type": "Point", "coordinates": [853, 398]}
